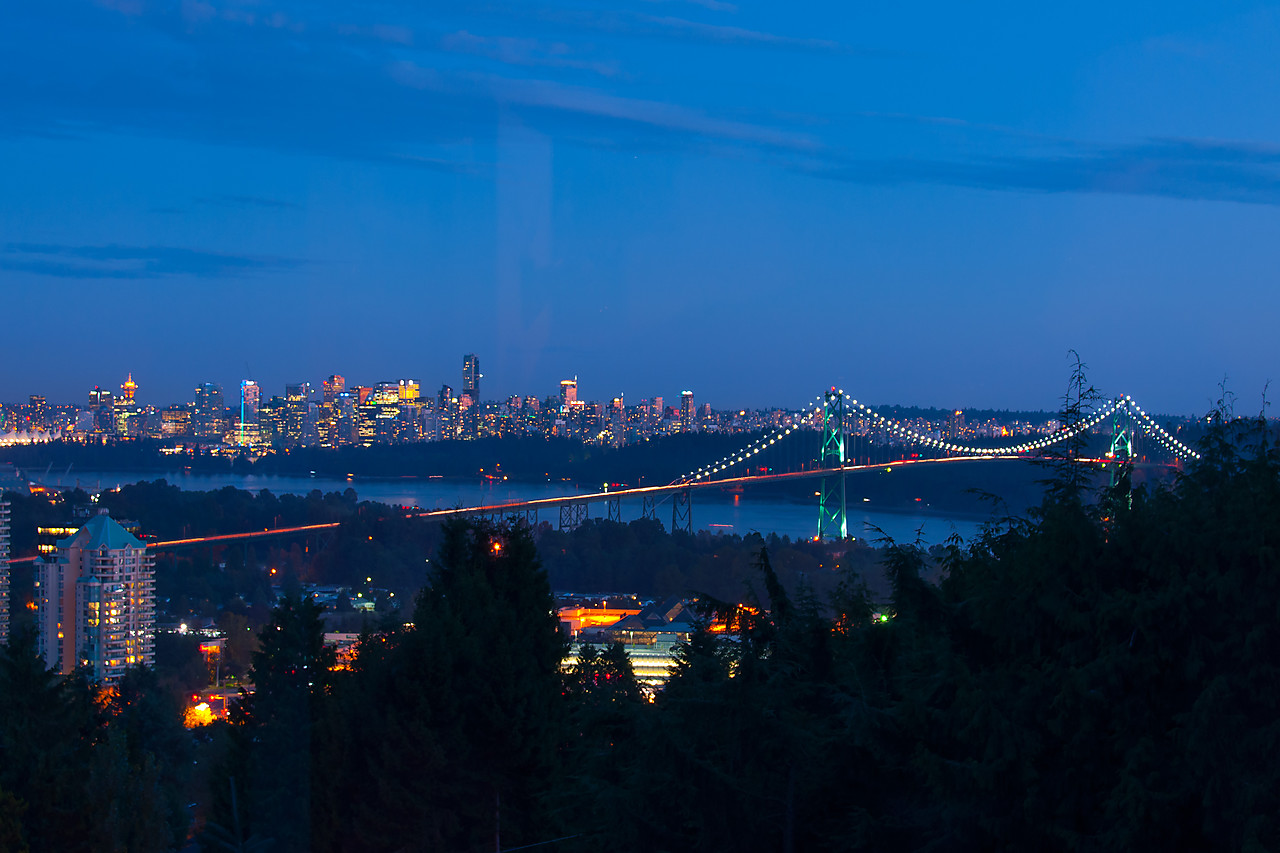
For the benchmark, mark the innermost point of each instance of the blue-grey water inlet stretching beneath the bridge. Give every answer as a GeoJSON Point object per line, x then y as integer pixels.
{"type": "Point", "coordinates": [711, 512]}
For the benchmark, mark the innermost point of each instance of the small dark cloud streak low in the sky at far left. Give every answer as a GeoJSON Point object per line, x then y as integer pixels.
{"type": "Point", "coordinates": [116, 262]}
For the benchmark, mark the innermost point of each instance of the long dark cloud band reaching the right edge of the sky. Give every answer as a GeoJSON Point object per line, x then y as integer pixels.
{"type": "Point", "coordinates": [1192, 170]}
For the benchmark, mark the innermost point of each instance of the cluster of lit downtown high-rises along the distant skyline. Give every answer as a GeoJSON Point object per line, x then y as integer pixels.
{"type": "Point", "coordinates": [337, 413]}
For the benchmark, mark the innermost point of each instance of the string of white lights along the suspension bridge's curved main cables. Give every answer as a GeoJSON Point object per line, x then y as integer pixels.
{"type": "Point", "coordinates": [1149, 426]}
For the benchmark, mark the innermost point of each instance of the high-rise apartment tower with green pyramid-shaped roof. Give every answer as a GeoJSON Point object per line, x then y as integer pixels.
{"type": "Point", "coordinates": [95, 603]}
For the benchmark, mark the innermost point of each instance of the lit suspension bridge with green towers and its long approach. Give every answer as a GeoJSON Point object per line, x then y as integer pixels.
{"type": "Point", "coordinates": [840, 418]}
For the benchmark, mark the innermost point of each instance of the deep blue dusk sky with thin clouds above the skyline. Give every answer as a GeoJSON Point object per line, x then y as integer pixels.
{"type": "Point", "coordinates": [922, 203]}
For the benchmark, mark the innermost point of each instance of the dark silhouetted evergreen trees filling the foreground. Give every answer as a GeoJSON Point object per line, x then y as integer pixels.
{"type": "Point", "coordinates": [1098, 676]}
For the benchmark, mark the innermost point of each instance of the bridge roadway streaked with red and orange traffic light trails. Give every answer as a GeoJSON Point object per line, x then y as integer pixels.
{"type": "Point", "coordinates": [516, 508]}
